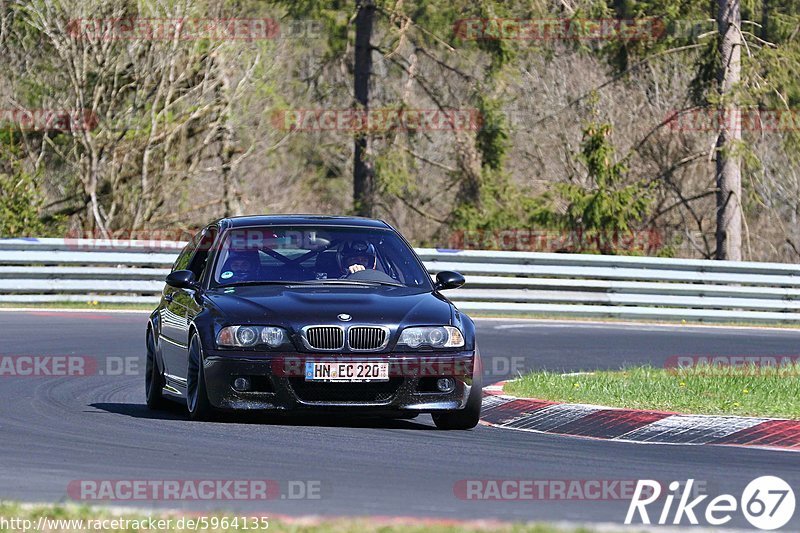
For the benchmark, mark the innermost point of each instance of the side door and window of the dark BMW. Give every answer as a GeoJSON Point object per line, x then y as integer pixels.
{"type": "Point", "coordinates": [172, 338]}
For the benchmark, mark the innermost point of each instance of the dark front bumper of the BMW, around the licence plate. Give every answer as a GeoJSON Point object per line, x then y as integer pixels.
{"type": "Point", "coordinates": [278, 383]}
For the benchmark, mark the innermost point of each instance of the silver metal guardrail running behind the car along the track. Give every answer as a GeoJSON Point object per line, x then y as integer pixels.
{"type": "Point", "coordinates": [76, 270]}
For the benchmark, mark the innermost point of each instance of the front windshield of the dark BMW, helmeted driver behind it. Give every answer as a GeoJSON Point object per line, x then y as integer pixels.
{"type": "Point", "coordinates": [317, 254]}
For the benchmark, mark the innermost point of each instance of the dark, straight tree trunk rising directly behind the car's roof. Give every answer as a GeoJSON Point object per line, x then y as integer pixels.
{"type": "Point", "coordinates": [363, 172]}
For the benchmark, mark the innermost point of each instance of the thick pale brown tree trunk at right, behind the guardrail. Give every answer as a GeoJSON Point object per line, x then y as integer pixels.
{"type": "Point", "coordinates": [729, 171]}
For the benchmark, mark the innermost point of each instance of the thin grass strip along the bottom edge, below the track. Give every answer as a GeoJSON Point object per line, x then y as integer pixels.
{"type": "Point", "coordinates": [56, 519]}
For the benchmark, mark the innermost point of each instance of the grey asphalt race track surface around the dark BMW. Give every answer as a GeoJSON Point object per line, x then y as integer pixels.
{"type": "Point", "coordinates": [54, 430]}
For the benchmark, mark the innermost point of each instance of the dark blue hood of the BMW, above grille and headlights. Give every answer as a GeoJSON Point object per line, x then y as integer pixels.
{"type": "Point", "coordinates": [298, 306]}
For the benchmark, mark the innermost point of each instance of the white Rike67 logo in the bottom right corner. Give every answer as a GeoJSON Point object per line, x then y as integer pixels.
{"type": "Point", "coordinates": [767, 503]}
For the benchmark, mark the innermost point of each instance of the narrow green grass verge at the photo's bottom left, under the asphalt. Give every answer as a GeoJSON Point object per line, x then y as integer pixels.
{"type": "Point", "coordinates": [301, 525]}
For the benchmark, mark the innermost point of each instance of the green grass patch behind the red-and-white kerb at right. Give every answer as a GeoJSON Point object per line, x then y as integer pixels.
{"type": "Point", "coordinates": [742, 391]}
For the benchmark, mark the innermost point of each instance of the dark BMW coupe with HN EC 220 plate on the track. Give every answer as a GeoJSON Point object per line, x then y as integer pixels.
{"type": "Point", "coordinates": [311, 314]}
